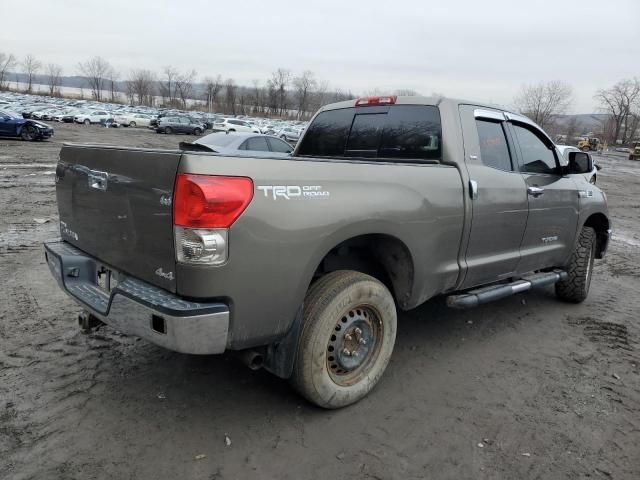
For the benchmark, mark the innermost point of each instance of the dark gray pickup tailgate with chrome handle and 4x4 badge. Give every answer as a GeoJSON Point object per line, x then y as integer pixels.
{"type": "Point", "coordinates": [115, 205]}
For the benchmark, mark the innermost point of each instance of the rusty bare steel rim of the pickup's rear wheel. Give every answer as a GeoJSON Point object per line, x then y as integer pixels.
{"type": "Point", "coordinates": [354, 345]}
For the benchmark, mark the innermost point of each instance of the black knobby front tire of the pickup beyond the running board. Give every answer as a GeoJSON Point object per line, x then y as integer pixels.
{"type": "Point", "coordinates": [580, 269]}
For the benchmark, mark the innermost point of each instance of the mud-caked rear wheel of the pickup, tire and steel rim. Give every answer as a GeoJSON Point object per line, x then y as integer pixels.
{"type": "Point", "coordinates": [347, 337]}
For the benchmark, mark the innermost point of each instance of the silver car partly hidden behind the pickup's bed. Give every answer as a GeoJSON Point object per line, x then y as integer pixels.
{"type": "Point", "coordinates": [236, 143]}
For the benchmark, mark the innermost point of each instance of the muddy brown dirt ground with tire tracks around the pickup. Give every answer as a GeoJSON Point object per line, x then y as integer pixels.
{"type": "Point", "coordinates": [527, 387]}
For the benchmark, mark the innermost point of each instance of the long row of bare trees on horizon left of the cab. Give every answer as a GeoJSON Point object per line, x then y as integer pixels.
{"type": "Point", "coordinates": [283, 94]}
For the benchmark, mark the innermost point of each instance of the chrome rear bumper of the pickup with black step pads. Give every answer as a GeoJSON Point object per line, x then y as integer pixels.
{"type": "Point", "coordinates": [136, 307]}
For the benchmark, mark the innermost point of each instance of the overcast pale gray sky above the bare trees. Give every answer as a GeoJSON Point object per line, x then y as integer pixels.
{"type": "Point", "coordinates": [476, 49]}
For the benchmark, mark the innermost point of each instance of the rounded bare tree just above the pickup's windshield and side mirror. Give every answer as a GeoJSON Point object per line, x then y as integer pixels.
{"type": "Point", "coordinates": [543, 101]}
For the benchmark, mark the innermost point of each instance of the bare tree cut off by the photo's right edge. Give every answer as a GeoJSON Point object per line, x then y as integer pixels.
{"type": "Point", "coordinates": [619, 102]}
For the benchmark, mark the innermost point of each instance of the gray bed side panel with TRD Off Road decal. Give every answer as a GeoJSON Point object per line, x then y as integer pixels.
{"type": "Point", "coordinates": [278, 242]}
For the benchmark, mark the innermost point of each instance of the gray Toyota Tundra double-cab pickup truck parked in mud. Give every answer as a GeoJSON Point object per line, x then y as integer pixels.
{"type": "Point", "coordinates": [300, 264]}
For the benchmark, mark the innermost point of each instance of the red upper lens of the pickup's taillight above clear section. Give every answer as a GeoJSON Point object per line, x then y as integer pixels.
{"type": "Point", "coordinates": [202, 201]}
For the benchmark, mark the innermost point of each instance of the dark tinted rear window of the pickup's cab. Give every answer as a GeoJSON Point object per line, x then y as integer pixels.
{"type": "Point", "coordinates": [397, 132]}
